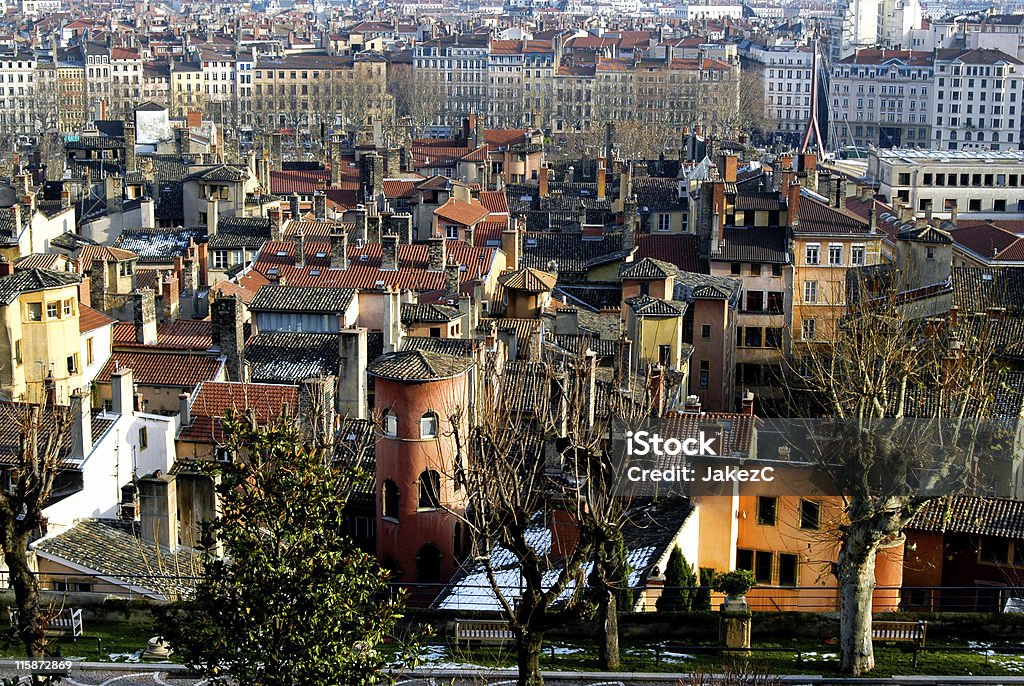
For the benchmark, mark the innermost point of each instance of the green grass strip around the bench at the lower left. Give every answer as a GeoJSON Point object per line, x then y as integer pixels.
{"type": "Point", "coordinates": [121, 641]}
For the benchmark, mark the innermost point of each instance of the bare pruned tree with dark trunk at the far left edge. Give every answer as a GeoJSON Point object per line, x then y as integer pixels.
{"type": "Point", "coordinates": [44, 432]}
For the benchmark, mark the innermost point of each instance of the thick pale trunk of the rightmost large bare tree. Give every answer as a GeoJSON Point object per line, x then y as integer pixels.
{"type": "Point", "coordinates": [857, 584]}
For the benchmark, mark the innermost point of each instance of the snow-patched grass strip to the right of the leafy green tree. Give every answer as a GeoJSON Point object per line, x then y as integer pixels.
{"type": "Point", "coordinates": [818, 659]}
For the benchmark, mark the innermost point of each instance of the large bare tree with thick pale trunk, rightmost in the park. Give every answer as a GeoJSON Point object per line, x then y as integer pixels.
{"type": "Point", "coordinates": [902, 407]}
